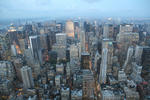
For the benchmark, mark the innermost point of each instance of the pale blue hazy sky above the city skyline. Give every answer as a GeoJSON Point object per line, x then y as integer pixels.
{"type": "Point", "coordinates": [59, 8]}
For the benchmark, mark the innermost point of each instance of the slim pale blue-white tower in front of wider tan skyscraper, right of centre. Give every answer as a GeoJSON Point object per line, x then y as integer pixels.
{"type": "Point", "coordinates": [103, 68]}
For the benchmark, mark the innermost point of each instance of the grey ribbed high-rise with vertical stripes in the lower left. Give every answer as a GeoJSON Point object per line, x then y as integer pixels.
{"type": "Point", "coordinates": [27, 79]}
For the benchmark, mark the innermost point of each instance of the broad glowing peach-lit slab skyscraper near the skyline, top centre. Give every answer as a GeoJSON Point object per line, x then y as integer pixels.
{"type": "Point", "coordinates": [69, 28]}
